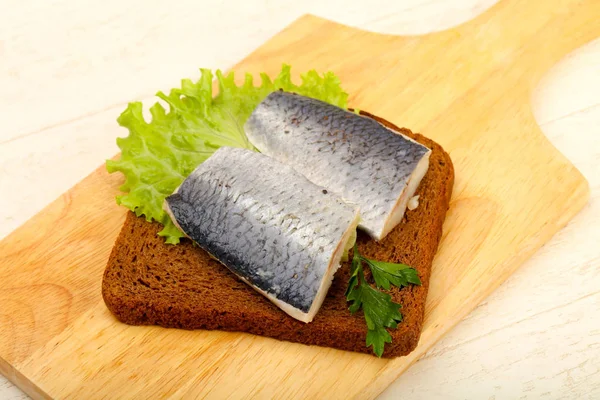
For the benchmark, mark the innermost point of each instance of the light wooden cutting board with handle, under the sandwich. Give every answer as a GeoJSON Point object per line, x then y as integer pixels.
{"type": "Point", "coordinates": [467, 88]}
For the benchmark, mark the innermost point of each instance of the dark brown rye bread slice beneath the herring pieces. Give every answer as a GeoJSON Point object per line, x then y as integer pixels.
{"type": "Point", "coordinates": [148, 282]}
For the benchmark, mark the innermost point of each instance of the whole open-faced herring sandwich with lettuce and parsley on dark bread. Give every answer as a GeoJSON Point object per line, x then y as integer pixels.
{"type": "Point", "coordinates": [252, 200]}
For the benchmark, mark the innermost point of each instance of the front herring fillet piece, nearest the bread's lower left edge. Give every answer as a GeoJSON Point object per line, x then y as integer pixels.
{"type": "Point", "coordinates": [277, 231]}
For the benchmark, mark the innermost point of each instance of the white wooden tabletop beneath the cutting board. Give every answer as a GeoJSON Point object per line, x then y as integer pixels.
{"type": "Point", "coordinates": [68, 67]}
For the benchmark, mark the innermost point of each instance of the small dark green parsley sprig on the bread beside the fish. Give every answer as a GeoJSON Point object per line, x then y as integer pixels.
{"type": "Point", "coordinates": [379, 309]}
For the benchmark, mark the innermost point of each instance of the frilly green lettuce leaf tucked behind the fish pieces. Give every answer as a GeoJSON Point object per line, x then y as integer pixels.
{"type": "Point", "coordinates": [158, 155]}
